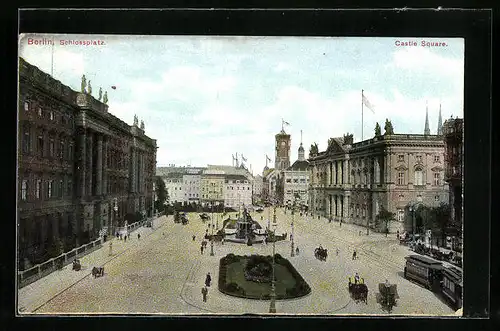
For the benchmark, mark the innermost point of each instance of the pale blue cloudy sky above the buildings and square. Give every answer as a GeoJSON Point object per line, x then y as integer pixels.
{"type": "Point", "coordinates": [205, 98]}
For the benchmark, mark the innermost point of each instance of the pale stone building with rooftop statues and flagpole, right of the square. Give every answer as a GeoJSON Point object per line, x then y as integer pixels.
{"type": "Point", "coordinates": [350, 182]}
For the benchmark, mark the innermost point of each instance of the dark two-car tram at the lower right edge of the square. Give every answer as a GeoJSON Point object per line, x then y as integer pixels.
{"type": "Point", "coordinates": [437, 277]}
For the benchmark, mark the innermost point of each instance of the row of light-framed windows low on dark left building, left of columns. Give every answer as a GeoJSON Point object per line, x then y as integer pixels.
{"type": "Point", "coordinates": [45, 189]}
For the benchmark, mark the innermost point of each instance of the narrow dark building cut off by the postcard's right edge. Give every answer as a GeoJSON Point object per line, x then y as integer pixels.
{"type": "Point", "coordinates": [453, 131]}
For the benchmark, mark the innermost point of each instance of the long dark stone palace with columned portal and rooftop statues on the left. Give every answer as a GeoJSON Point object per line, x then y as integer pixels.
{"type": "Point", "coordinates": [76, 162]}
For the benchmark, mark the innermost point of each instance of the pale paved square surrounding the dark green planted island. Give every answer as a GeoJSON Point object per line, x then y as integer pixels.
{"type": "Point", "coordinates": [163, 272]}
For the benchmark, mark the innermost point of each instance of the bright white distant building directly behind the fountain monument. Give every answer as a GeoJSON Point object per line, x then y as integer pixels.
{"type": "Point", "coordinates": [237, 191]}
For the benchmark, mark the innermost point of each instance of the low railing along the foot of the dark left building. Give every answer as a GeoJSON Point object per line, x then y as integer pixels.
{"type": "Point", "coordinates": [33, 274]}
